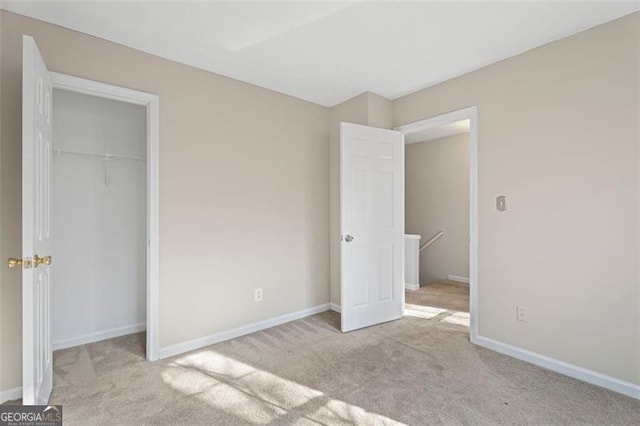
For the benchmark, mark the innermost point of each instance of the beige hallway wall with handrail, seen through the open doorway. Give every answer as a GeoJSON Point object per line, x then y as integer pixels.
{"type": "Point", "coordinates": [437, 198]}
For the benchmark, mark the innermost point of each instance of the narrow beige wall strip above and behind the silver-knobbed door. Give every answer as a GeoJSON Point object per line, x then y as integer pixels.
{"type": "Point", "coordinates": [369, 109]}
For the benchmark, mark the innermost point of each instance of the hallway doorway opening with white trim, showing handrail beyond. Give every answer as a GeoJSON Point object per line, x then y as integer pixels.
{"type": "Point", "coordinates": [444, 216]}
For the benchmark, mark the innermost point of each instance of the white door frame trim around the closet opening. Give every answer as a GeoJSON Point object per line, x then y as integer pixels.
{"type": "Point", "coordinates": [152, 104]}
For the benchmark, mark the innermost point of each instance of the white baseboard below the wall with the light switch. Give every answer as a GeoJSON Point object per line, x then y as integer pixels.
{"type": "Point", "coordinates": [589, 376]}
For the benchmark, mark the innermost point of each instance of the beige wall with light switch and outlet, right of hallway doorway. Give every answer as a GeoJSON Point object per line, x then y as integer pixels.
{"type": "Point", "coordinates": [558, 134]}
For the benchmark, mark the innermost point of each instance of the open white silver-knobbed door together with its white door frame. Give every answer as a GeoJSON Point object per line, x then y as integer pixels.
{"type": "Point", "coordinates": [372, 220]}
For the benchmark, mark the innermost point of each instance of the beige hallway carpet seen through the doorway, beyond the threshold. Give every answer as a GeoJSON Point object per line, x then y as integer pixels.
{"type": "Point", "coordinates": [446, 294]}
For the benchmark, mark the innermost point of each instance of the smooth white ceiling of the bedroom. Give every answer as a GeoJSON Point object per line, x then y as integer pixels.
{"type": "Point", "coordinates": [327, 52]}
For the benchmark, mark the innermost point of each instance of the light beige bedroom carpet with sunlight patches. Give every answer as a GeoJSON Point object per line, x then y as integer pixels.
{"type": "Point", "coordinates": [414, 371]}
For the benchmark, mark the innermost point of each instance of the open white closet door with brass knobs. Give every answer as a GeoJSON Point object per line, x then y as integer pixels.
{"type": "Point", "coordinates": [37, 374]}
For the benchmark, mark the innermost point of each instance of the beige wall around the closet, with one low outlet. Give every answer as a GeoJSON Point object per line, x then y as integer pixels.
{"type": "Point", "coordinates": [244, 194]}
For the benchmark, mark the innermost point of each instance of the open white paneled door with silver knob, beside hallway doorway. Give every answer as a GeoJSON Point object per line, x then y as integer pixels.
{"type": "Point", "coordinates": [372, 222]}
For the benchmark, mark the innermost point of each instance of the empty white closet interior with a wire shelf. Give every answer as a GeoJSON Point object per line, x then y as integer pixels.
{"type": "Point", "coordinates": [99, 218]}
